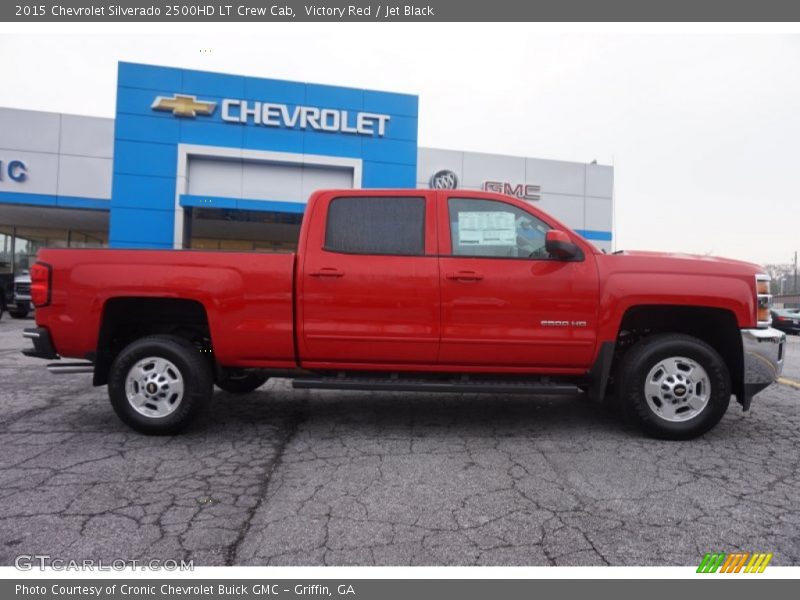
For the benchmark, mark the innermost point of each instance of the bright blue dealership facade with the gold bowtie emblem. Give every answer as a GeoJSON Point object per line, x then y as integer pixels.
{"type": "Point", "coordinates": [165, 117]}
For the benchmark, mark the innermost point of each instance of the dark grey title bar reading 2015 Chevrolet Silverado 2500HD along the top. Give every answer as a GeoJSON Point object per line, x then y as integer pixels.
{"type": "Point", "coordinates": [412, 11]}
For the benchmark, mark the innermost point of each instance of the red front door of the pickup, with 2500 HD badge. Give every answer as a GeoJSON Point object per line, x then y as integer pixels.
{"type": "Point", "coordinates": [505, 302]}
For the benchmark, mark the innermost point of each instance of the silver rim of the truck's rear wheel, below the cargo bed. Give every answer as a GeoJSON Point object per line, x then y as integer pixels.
{"type": "Point", "coordinates": [154, 387]}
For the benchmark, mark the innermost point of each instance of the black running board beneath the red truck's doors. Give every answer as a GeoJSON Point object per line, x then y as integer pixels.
{"type": "Point", "coordinates": [424, 385]}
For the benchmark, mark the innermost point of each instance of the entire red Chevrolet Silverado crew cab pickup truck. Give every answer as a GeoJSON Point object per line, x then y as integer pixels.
{"type": "Point", "coordinates": [413, 290]}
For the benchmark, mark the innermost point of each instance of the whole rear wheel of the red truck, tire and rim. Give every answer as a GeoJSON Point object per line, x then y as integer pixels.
{"type": "Point", "coordinates": [157, 385]}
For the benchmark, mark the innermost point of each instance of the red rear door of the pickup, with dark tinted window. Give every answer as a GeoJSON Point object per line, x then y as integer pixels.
{"type": "Point", "coordinates": [368, 291]}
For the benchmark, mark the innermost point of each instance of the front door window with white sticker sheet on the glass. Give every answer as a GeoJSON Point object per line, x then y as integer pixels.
{"type": "Point", "coordinates": [487, 228]}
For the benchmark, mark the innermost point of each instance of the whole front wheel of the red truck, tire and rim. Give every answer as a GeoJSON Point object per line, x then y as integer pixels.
{"type": "Point", "coordinates": [674, 386]}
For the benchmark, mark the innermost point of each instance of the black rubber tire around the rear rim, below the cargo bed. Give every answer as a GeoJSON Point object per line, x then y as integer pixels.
{"type": "Point", "coordinates": [193, 371]}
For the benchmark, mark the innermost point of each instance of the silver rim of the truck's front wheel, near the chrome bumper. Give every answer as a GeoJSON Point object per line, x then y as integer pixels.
{"type": "Point", "coordinates": [677, 389]}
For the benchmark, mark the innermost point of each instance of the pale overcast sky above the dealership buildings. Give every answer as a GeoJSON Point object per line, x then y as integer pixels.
{"type": "Point", "coordinates": [703, 130]}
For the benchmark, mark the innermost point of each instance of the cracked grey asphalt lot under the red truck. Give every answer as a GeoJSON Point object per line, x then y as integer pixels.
{"type": "Point", "coordinates": [294, 477]}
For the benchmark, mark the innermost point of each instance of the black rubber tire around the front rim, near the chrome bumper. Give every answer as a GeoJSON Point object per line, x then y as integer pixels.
{"type": "Point", "coordinates": [644, 356]}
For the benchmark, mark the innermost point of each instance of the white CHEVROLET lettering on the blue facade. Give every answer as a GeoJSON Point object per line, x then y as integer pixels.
{"type": "Point", "coordinates": [304, 117]}
